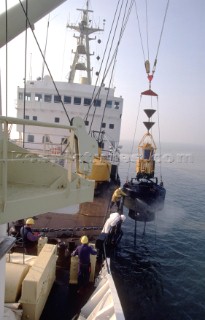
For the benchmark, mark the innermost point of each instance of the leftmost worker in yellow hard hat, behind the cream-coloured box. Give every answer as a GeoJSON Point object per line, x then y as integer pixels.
{"type": "Point", "coordinates": [30, 241]}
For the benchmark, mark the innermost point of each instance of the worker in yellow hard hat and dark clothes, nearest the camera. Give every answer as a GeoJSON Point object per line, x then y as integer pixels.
{"type": "Point", "coordinates": [84, 251]}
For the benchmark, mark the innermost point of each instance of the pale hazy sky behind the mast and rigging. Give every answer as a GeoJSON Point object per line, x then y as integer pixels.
{"type": "Point", "coordinates": [179, 78]}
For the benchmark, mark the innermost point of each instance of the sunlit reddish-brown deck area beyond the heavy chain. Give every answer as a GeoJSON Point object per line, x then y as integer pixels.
{"type": "Point", "coordinates": [89, 218]}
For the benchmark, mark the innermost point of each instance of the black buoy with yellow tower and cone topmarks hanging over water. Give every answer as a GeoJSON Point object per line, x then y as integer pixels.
{"type": "Point", "coordinates": [145, 193]}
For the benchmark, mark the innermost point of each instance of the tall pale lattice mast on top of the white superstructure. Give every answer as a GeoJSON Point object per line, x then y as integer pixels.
{"type": "Point", "coordinates": [81, 61]}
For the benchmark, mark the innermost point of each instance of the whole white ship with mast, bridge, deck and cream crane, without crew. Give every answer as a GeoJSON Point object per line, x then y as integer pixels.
{"type": "Point", "coordinates": [61, 173]}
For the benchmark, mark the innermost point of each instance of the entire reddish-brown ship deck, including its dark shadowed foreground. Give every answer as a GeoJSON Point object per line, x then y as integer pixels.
{"type": "Point", "coordinates": [64, 301]}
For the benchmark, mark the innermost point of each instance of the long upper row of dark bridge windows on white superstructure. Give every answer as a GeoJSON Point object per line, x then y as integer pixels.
{"type": "Point", "coordinates": [68, 100]}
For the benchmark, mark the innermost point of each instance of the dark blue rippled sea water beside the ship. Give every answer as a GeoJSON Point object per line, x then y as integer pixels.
{"type": "Point", "coordinates": [160, 274]}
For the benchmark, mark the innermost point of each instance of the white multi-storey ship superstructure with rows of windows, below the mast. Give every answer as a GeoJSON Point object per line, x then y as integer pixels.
{"type": "Point", "coordinates": [44, 104]}
